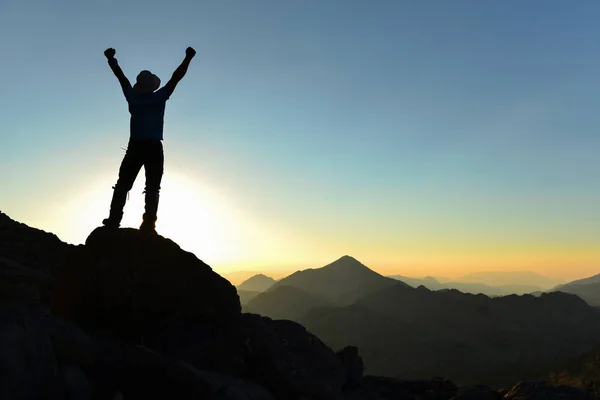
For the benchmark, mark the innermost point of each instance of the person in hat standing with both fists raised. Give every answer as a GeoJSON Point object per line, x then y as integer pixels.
{"type": "Point", "coordinates": [147, 109]}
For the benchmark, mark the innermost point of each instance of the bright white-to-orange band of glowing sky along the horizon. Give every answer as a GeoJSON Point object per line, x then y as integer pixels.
{"type": "Point", "coordinates": [231, 239]}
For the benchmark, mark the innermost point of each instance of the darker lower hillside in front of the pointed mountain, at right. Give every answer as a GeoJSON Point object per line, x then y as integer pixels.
{"type": "Point", "coordinates": [468, 338]}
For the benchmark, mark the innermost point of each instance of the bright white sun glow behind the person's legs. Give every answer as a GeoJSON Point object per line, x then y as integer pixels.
{"type": "Point", "coordinates": [193, 215]}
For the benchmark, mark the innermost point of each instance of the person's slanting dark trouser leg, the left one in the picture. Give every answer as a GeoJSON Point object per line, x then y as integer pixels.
{"type": "Point", "coordinates": [130, 167]}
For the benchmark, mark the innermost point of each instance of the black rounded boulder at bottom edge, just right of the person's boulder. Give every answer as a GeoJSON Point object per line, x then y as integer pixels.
{"type": "Point", "coordinates": [289, 361]}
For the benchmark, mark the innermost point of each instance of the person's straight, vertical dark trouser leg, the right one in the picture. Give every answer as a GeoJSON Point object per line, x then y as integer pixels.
{"type": "Point", "coordinates": [153, 166]}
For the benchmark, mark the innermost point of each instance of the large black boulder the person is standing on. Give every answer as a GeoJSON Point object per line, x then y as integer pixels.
{"type": "Point", "coordinates": [147, 290]}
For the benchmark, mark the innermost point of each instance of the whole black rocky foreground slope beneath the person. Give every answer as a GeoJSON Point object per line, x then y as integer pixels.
{"type": "Point", "coordinates": [136, 317]}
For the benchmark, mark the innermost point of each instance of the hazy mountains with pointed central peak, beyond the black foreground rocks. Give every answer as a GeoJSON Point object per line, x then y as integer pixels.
{"type": "Point", "coordinates": [414, 332]}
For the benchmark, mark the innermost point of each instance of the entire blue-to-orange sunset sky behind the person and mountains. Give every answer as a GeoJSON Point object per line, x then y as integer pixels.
{"type": "Point", "coordinates": [421, 137]}
